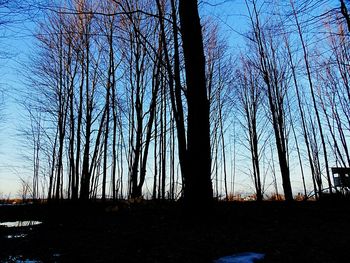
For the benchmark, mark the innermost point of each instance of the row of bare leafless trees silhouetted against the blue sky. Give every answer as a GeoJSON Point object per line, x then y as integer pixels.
{"type": "Point", "coordinates": [130, 99]}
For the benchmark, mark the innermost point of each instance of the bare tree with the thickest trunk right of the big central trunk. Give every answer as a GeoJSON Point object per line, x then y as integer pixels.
{"type": "Point", "coordinates": [273, 68]}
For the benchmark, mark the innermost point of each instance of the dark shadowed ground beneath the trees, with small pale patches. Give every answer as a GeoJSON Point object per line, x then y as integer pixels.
{"type": "Point", "coordinates": [149, 232]}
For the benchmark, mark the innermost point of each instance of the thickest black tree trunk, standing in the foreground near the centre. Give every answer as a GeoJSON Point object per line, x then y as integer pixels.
{"type": "Point", "coordinates": [198, 191]}
